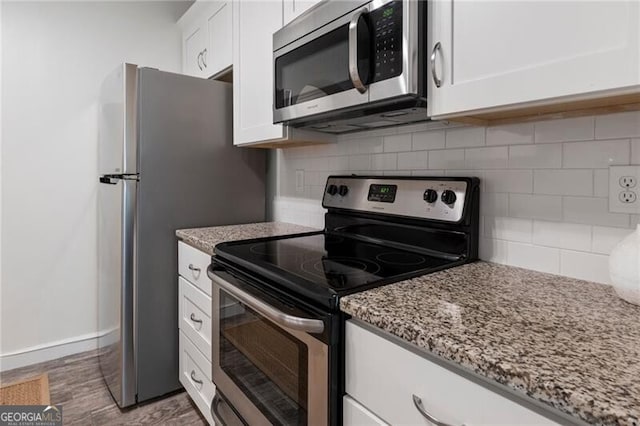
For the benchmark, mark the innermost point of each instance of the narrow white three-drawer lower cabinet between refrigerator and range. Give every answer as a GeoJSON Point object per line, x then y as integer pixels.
{"type": "Point", "coordinates": [194, 322]}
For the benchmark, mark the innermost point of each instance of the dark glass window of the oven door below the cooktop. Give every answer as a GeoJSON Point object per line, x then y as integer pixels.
{"type": "Point", "coordinates": [268, 364]}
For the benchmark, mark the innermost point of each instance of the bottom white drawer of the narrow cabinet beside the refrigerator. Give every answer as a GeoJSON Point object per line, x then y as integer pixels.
{"type": "Point", "coordinates": [193, 376]}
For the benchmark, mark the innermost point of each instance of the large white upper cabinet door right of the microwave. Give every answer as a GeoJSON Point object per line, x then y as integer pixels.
{"type": "Point", "coordinates": [495, 53]}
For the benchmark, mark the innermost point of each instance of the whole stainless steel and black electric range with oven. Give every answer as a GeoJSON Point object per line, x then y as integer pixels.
{"type": "Point", "coordinates": [278, 355]}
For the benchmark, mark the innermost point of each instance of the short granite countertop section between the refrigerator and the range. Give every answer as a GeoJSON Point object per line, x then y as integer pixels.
{"type": "Point", "coordinates": [205, 239]}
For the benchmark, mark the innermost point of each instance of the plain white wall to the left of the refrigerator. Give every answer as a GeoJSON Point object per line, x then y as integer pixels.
{"type": "Point", "coordinates": [54, 58]}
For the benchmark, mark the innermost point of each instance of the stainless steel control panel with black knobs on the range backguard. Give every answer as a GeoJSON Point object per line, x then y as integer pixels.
{"type": "Point", "coordinates": [425, 198]}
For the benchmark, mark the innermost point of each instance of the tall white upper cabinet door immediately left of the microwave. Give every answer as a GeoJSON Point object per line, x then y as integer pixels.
{"type": "Point", "coordinates": [254, 23]}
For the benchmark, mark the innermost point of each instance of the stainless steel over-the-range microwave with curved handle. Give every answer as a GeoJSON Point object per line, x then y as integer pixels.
{"type": "Point", "coordinates": [351, 65]}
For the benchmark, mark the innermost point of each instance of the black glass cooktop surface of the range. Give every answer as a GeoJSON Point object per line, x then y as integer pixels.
{"type": "Point", "coordinates": [331, 263]}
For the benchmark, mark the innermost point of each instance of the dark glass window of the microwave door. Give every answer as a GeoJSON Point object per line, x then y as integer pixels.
{"type": "Point", "coordinates": [320, 67]}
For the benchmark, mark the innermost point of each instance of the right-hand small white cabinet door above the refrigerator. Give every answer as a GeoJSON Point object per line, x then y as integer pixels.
{"type": "Point", "coordinates": [218, 54]}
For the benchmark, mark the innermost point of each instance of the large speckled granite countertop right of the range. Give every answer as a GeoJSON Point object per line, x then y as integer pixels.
{"type": "Point", "coordinates": [570, 344]}
